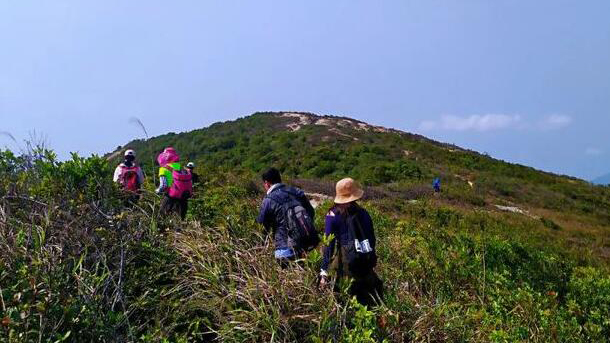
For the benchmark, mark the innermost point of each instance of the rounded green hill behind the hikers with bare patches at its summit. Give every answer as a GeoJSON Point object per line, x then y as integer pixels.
{"type": "Point", "coordinates": [307, 146]}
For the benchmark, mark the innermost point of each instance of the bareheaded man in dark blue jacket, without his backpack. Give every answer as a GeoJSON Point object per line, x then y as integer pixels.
{"type": "Point", "coordinates": [273, 217]}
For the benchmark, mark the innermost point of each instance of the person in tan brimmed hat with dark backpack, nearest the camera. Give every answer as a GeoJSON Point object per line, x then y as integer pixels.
{"type": "Point", "coordinates": [351, 253]}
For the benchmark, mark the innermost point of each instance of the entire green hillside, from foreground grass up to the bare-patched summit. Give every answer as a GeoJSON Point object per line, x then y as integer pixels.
{"type": "Point", "coordinates": [78, 266]}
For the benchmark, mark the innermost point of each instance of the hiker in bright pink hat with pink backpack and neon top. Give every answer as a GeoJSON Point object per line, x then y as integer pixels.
{"type": "Point", "coordinates": [175, 183]}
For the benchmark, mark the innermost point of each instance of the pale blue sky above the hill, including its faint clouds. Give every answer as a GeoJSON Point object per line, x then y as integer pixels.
{"type": "Point", "coordinates": [525, 81]}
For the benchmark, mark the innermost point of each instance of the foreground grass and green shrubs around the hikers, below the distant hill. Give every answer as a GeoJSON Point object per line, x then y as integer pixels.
{"type": "Point", "coordinates": [77, 266]}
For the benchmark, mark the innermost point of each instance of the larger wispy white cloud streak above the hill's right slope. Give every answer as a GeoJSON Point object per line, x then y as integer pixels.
{"type": "Point", "coordinates": [475, 122]}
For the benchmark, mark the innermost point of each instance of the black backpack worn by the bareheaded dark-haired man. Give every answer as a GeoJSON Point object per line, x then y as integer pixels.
{"type": "Point", "coordinates": [300, 225]}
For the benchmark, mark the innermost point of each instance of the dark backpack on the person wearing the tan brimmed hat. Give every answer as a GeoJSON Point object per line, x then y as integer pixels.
{"type": "Point", "coordinates": [360, 252]}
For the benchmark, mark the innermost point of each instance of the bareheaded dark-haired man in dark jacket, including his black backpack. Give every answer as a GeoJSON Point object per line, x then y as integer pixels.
{"type": "Point", "coordinates": [288, 214]}
